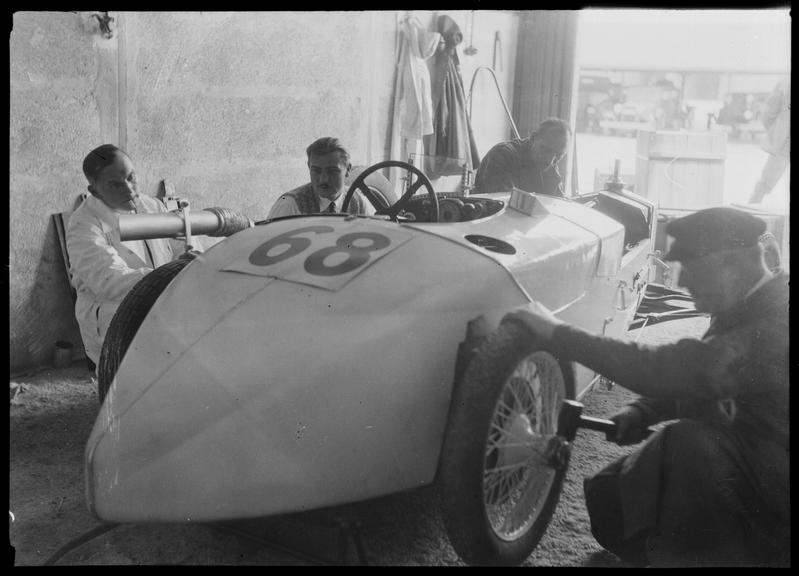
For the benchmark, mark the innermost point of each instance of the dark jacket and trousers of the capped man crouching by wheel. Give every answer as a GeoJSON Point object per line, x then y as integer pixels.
{"type": "Point", "coordinates": [732, 385]}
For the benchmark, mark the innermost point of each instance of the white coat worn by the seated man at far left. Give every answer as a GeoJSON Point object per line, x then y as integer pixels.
{"type": "Point", "coordinates": [103, 268]}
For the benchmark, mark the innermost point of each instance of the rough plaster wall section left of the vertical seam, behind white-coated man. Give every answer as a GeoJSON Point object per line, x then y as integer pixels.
{"type": "Point", "coordinates": [62, 98]}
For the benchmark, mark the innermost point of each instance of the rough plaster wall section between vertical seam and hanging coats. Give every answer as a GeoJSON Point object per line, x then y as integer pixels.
{"type": "Point", "coordinates": [224, 104]}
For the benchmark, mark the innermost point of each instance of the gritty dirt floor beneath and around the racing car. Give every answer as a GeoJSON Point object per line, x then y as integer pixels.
{"type": "Point", "coordinates": [51, 416]}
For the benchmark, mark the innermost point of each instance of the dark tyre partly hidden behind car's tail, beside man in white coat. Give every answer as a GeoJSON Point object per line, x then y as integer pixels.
{"type": "Point", "coordinates": [127, 319]}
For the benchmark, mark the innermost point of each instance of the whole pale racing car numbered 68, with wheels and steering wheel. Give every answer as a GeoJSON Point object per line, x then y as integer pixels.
{"type": "Point", "coordinates": [319, 360]}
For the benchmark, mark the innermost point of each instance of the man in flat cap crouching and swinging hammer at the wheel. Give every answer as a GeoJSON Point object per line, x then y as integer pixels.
{"type": "Point", "coordinates": [710, 488]}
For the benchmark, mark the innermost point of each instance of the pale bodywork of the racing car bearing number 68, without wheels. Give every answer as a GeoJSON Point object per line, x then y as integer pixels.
{"type": "Point", "coordinates": [310, 361]}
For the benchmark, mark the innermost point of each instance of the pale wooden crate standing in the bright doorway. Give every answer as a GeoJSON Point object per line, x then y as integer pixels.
{"type": "Point", "coordinates": [681, 170]}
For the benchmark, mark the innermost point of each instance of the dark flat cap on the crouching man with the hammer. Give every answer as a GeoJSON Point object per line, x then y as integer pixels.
{"type": "Point", "coordinates": [711, 230]}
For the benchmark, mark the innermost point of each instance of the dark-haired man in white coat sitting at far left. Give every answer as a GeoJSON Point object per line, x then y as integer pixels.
{"type": "Point", "coordinates": [103, 267]}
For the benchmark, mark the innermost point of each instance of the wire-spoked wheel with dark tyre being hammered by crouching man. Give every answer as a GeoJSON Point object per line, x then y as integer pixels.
{"type": "Point", "coordinates": [512, 390]}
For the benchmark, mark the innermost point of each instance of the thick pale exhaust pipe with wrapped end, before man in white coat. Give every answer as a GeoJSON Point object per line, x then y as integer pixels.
{"type": "Point", "coordinates": [166, 225]}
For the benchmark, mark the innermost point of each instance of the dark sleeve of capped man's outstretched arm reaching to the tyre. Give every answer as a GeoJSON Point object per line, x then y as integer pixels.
{"type": "Point", "coordinates": [689, 369]}
